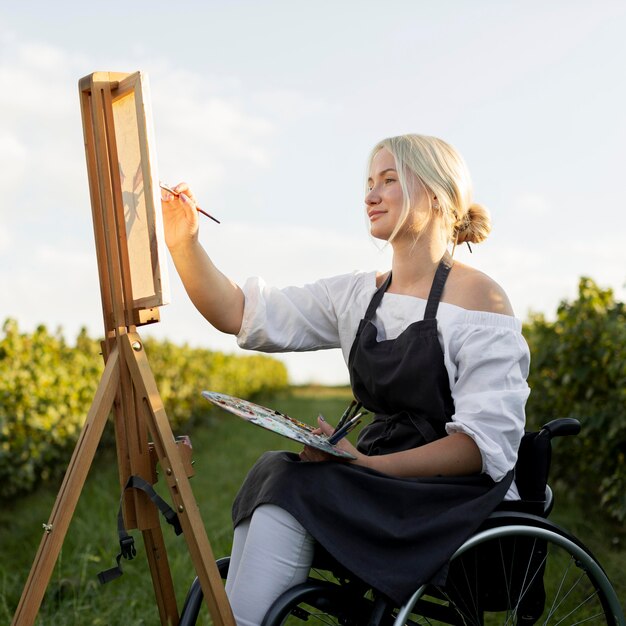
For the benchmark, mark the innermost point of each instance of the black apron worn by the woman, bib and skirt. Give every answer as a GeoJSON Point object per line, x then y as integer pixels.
{"type": "Point", "coordinates": [393, 533]}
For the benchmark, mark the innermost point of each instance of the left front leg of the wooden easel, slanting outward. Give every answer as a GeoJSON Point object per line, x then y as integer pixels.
{"type": "Point", "coordinates": [68, 495]}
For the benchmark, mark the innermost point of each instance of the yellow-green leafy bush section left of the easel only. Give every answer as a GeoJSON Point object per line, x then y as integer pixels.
{"type": "Point", "coordinates": [45, 391]}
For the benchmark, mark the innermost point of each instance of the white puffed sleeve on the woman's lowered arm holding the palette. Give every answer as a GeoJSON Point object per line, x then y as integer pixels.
{"type": "Point", "coordinates": [489, 360]}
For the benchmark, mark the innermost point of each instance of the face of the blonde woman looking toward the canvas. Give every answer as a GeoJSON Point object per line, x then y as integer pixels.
{"type": "Point", "coordinates": [384, 200]}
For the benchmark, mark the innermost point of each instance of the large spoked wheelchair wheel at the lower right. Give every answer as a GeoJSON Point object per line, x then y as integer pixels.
{"type": "Point", "coordinates": [518, 574]}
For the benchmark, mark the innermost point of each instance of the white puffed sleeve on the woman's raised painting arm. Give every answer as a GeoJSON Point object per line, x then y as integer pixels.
{"type": "Point", "coordinates": [294, 318]}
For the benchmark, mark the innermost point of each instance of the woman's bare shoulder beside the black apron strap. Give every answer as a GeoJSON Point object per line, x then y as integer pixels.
{"type": "Point", "coordinates": [473, 290]}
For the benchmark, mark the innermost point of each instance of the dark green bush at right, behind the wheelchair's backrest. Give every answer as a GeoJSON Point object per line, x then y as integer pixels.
{"type": "Point", "coordinates": [578, 369]}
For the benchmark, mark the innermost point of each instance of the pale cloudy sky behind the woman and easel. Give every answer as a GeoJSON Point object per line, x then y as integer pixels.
{"type": "Point", "coordinates": [269, 110]}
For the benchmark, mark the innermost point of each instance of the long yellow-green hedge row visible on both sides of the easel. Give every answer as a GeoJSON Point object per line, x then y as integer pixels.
{"type": "Point", "coordinates": [47, 388]}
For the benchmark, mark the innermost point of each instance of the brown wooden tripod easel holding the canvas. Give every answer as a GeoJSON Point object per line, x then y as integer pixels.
{"type": "Point", "coordinates": [128, 386]}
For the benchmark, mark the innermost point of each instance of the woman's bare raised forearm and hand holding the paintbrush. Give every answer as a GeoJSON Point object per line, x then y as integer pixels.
{"type": "Point", "coordinates": [219, 300]}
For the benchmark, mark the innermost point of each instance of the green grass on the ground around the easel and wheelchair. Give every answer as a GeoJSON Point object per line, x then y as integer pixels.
{"type": "Point", "coordinates": [223, 452]}
